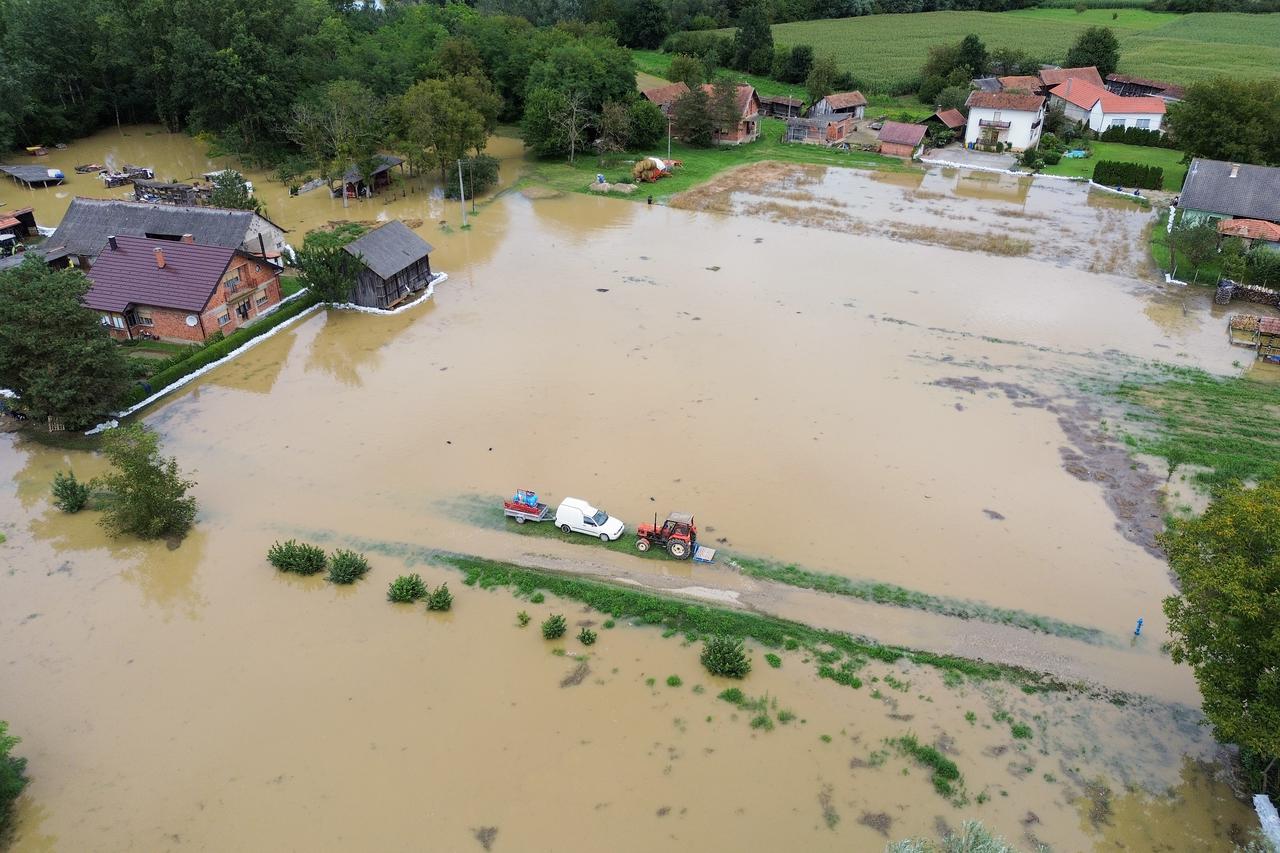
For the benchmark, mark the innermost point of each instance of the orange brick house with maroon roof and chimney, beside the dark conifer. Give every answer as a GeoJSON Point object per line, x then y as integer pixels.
{"type": "Point", "coordinates": [179, 290]}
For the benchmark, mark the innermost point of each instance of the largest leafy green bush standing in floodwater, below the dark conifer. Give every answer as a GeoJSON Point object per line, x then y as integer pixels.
{"type": "Point", "coordinates": [147, 492]}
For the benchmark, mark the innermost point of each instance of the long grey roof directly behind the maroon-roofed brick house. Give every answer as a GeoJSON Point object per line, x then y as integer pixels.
{"type": "Point", "coordinates": [89, 222]}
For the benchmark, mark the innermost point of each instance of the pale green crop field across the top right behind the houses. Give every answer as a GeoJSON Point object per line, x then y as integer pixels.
{"type": "Point", "coordinates": [885, 53]}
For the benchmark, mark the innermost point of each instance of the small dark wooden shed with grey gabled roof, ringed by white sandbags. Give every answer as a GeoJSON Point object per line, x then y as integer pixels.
{"type": "Point", "coordinates": [396, 266]}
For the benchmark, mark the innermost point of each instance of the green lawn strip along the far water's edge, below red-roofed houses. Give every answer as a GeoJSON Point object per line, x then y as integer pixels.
{"type": "Point", "coordinates": [703, 165]}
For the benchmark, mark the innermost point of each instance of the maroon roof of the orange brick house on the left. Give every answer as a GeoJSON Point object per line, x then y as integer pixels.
{"type": "Point", "coordinates": [129, 275]}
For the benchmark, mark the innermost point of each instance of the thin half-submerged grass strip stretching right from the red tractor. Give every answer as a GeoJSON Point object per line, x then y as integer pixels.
{"type": "Point", "coordinates": [893, 595]}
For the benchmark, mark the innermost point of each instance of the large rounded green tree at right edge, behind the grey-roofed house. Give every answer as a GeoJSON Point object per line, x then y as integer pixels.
{"type": "Point", "coordinates": [1229, 120]}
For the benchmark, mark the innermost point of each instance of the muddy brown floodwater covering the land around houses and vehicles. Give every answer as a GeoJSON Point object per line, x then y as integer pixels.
{"type": "Point", "coordinates": [829, 399]}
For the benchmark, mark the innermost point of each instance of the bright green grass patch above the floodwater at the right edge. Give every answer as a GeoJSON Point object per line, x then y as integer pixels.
{"type": "Point", "coordinates": [1224, 427]}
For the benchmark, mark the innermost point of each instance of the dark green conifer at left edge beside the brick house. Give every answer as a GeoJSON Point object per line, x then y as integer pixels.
{"type": "Point", "coordinates": [54, 353]}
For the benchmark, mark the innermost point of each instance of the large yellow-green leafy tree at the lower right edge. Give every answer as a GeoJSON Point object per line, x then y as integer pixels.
{"type": "Point", "coordinates": [1226, 621]}
